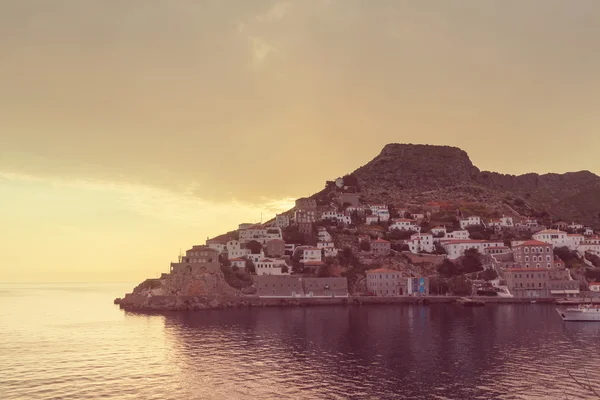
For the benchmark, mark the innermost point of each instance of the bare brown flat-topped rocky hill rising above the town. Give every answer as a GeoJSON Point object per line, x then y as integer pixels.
{"type": "Point", "coordinates": [405, 174]}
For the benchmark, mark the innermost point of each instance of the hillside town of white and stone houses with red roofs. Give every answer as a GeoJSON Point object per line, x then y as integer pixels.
{"type": "Point", "coordinates": [335, 244]}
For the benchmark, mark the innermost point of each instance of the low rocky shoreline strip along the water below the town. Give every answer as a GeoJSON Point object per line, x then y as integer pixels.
{"type": "Point", "coordinates": [141, 303]}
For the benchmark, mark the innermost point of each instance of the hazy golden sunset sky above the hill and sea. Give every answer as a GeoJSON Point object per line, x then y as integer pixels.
{"type": "Point", "coordinates": [132, 130]}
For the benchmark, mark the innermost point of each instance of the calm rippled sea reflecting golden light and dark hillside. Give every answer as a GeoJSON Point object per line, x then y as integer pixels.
{"type": "Point", "coordinates": [71, 342]}
